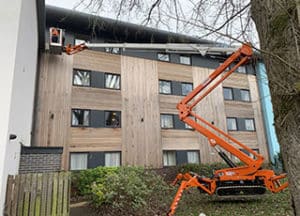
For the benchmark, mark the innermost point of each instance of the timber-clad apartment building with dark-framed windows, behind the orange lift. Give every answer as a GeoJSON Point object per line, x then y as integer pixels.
{"type": "Point", "coordinates": [112, 107]}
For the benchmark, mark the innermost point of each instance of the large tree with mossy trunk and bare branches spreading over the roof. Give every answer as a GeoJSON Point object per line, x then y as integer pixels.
{"type": "Point", "coordinates": [278, 25]}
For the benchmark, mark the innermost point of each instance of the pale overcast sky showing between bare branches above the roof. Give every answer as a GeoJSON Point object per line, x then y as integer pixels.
{"type": "Point", "coordinates": [169, 24]}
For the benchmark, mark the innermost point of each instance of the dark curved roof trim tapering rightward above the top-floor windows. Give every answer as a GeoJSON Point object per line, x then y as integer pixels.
{"type": "Point", "coordinates": [82, 23]}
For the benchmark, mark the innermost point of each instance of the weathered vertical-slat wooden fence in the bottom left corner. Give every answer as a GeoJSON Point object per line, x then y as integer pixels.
{"type": "Point", "coordinates": [38, 194]}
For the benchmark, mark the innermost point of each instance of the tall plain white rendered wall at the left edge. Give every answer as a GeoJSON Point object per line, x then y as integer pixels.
{"type": "Point", "coordinates": [18, 57]}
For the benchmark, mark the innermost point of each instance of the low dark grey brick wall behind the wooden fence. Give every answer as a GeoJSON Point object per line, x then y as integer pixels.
{"type": "Point", "coordinates": [40, 159]}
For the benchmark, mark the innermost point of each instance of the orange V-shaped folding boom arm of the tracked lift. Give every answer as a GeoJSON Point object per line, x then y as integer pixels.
{"type": "Point", "coordinates": [215, 136]}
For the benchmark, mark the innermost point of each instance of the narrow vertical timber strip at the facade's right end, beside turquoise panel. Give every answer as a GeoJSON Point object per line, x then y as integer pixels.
{"type": "Point", "coordinates": [258, 118]}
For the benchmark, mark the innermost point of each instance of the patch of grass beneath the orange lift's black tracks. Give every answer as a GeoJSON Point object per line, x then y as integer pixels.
{"type": "Point", "coordinates": [193, 203]}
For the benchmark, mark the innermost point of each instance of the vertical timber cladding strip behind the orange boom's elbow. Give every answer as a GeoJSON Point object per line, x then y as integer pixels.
{"type": "Point", "coordinates": [212, 109]}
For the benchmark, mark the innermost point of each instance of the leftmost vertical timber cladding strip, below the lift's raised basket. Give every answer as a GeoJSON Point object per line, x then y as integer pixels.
{"type": "Point", "coordinates": [54, 102]}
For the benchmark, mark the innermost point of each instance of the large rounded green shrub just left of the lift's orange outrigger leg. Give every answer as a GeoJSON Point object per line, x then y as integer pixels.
{"type": "Point", "coordinates": [131, 191]}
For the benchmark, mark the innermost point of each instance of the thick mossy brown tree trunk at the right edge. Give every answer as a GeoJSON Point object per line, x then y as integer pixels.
{"type": "Point", "coordinates": [278, 28]}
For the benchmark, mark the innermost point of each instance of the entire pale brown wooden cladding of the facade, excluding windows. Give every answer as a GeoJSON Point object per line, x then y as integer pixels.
{"type": "Point", "coordinates": [140, 137]}
